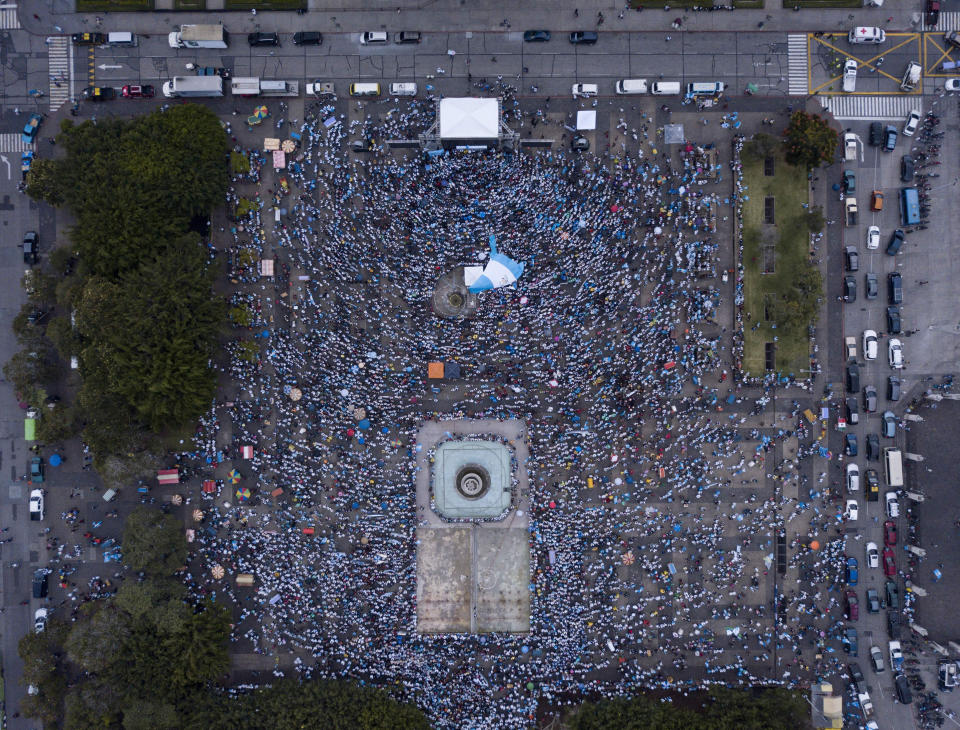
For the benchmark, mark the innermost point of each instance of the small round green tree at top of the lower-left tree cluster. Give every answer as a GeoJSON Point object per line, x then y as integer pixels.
{"type": "Point", "coordinates": [154, 542]}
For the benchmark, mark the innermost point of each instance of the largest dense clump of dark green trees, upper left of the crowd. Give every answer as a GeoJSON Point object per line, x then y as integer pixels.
{"type": "Point", "coordinates": [131, 296]}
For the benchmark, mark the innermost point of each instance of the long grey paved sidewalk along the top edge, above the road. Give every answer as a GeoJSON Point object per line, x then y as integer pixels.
{"type": "Point", "coordinates": [347, 16]}
